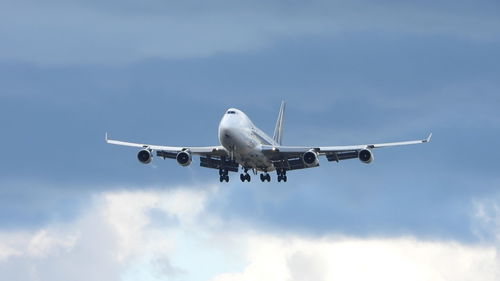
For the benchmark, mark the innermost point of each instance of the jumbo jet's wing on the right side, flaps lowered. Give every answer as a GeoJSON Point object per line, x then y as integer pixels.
{"type": "Point", "coordinates": [289, 157]}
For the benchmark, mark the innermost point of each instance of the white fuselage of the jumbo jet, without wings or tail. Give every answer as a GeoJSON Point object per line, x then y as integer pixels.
{"type": "Point", "coordinates": [243, 140]}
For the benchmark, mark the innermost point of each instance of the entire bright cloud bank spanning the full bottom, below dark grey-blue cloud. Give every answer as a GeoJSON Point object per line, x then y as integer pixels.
{"type": "Point", "coordinates": [120, 238]}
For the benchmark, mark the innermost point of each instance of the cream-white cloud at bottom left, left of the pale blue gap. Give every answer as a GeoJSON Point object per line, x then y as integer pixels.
{"type": "Point", "coordinates": [110, 236]}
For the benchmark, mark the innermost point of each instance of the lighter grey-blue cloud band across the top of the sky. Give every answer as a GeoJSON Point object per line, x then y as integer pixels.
{"type": "Point", "coordinates": [97, 32]}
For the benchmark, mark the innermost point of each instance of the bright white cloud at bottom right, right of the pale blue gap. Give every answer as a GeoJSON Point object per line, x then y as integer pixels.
{"type": "Point", "coordinates": [278, 258]}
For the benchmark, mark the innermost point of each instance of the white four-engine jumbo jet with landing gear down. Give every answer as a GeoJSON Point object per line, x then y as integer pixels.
{"type": "Point", "coordinates": [244, 145]}
